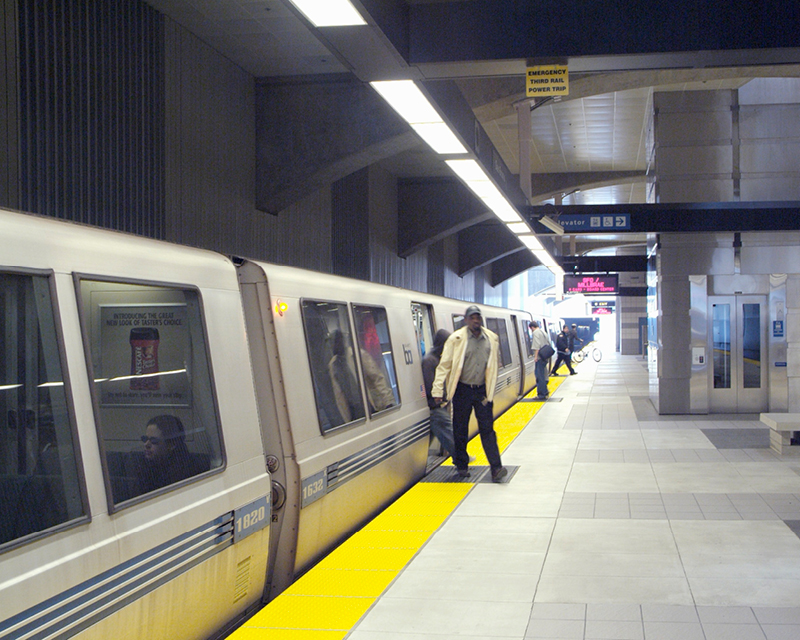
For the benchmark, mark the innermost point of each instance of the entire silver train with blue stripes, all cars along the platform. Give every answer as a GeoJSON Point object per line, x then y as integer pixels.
{"type": "Point", "coordinates": [182, 435]}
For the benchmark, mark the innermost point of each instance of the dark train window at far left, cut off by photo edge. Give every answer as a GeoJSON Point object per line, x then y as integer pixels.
{"type": "Point", "coordinates": [39, 483]}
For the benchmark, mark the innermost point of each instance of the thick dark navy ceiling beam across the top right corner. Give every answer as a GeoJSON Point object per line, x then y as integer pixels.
{"type": "Point", "coordinates": [441, 32]}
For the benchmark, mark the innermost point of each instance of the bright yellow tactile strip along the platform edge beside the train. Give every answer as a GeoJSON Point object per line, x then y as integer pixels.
{"type": "Point", "coordinates": [329, 600]}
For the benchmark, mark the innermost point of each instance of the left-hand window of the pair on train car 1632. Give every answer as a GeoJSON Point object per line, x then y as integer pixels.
{"type": "Point", "coordinates": [333, 368]}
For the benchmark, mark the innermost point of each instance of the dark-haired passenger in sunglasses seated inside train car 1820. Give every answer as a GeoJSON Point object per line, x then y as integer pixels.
{"type": "Point", "coordinates": [166, 458]}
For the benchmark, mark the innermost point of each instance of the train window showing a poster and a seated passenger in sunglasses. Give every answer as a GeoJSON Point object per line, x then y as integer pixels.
{"type": "Point", "coordinates": [156, 413]}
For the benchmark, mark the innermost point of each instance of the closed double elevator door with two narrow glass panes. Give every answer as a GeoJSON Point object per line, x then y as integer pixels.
{"type": "Point", "coordinates": [739, 345]}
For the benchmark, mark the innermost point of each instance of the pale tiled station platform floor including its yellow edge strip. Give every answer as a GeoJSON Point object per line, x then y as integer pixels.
{"type": "Point", "coordinates": [616, 523]}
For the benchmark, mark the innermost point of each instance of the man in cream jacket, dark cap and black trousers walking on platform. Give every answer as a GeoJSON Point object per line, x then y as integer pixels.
{"type": "Point", "coordinates": [468, 367]}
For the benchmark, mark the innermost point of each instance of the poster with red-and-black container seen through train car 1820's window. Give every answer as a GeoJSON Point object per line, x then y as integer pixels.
{"type": "Point", "coordinates": [144, 355]}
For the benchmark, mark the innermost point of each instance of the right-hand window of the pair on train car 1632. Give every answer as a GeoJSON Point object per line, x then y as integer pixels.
{"type": "Point", "coordinates": [377, 360]}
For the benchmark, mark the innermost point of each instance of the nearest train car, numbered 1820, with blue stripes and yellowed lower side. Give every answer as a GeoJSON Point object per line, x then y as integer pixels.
{"type": "Point", "coordinates": [84, 553]}
